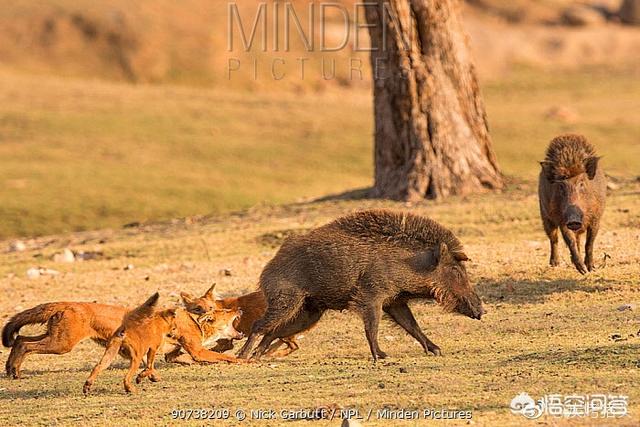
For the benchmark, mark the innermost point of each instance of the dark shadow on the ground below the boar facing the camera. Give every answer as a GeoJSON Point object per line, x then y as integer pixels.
{"type": "Point", "coordinates": [511, 291]}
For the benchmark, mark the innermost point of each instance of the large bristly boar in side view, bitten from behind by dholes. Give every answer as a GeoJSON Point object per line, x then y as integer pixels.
{"type": "Point", "coordinates": [370, 262]}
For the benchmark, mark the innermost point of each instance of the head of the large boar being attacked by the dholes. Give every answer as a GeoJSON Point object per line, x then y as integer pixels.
{"type": "Point", "coordinates": [451, 287]}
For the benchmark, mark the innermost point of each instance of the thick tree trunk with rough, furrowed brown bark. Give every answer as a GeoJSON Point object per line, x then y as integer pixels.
{"type": "Point", "coordinates": [432, 138]}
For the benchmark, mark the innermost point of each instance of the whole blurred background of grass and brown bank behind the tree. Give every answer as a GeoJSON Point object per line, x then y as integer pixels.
{"type": "Point", "coordinates": [114, 111]}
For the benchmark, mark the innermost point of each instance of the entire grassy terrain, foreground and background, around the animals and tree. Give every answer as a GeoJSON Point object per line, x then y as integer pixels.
{"type": "Point", "coordinates": [115, 112]}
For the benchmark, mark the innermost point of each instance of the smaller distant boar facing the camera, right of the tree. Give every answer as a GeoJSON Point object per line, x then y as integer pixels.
{"type": "Point", "coordinates": [572, 190]}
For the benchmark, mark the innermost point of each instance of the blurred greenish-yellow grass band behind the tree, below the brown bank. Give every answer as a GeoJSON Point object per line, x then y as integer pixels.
{"type": "Point", "coordinates": [79, 155]}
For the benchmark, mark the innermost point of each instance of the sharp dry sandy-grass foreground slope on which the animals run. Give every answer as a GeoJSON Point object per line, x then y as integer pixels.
{"type": "Point", "coordinates": [547, 330]}
